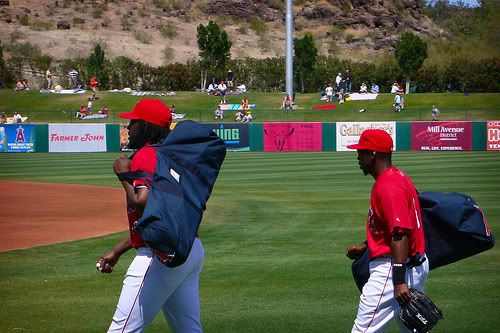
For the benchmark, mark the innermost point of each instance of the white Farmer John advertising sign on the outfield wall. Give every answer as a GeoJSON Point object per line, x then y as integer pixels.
{"type": "Point", "coordinates": [77, 137]}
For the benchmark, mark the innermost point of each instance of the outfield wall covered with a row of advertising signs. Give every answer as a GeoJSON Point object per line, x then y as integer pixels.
{"type": "Point", "coordinates": [282, 136]}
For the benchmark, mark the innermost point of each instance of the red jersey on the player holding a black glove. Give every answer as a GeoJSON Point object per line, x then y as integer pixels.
{"type": "Point", "coordinates": [394, 205]}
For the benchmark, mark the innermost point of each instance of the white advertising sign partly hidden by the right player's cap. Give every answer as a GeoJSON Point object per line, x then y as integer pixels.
{"type": "Point", "coordinates": [348, 133]}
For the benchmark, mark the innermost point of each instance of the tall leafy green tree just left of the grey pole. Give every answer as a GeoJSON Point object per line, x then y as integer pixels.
{"type": "Point", "coordinates": [215, 48]}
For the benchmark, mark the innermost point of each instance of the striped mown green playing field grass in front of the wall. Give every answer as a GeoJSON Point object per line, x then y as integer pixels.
{"type": "Point", "coordinates": [275, 233]}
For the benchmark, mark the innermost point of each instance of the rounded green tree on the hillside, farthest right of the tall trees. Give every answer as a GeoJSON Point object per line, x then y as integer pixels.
{"type": "Point", "coordinates": [410, 54]}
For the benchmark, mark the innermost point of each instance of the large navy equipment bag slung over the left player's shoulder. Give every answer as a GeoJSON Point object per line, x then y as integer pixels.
{"type": "Point", "coordinates": [188, 163]}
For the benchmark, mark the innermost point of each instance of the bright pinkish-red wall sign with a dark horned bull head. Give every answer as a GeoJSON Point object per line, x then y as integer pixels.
{"type": "Point", "coordinates": [292, 137]}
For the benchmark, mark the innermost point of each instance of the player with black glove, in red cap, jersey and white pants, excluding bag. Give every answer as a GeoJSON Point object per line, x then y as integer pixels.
{"type": "Point", "coordinates": [395, 237]}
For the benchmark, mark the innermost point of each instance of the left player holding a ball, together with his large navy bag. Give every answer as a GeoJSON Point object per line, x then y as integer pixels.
{"type": "Point", "coordinates": [167, 182]}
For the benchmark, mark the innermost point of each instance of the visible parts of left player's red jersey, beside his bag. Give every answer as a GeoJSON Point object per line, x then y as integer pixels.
{"type": "Point", "coordinates": [143, 160]}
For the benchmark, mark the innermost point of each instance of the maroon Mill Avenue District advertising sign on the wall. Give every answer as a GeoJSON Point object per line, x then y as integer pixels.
{"type": "Point", "coordinates": [441, 135]}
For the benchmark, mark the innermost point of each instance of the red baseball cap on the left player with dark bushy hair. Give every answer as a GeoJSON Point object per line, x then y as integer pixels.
{"type": "Point", "coordinates": [151, 110]}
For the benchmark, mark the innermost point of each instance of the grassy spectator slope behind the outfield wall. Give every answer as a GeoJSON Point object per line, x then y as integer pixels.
{"type": "Point", "coordinates": [44, 108]}
